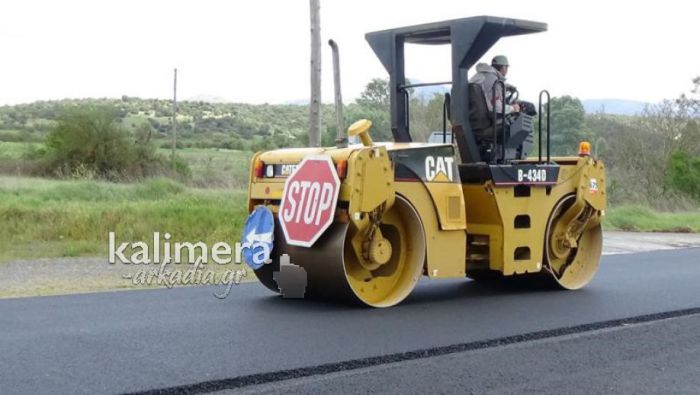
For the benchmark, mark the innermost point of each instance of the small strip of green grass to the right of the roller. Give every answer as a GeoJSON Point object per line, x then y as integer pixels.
{"type": "Point", "coordinates": [643, 219]}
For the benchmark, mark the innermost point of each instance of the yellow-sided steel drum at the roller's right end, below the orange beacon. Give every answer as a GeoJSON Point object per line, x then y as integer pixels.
{"type": "Point", "coordinates": [572, 266]}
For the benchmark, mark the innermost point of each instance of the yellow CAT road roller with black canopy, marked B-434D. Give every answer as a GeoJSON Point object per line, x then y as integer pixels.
{"type": "Point", "coordinates": [365, 221]}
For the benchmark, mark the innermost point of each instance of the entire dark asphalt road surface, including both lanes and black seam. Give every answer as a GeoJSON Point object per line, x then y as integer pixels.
{"type": "Point", "coordinates": [634, 328]}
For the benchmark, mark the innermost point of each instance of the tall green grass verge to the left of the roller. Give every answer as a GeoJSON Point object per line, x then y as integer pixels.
{"type": "Point", "coordinates": [61, 218]}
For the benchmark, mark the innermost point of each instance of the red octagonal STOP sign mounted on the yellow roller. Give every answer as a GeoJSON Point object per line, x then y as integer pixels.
{"type": "Point", "coordinates": [308, 201]}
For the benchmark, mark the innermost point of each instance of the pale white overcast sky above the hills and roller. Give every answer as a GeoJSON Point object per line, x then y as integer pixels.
{"type": "Point", "coordinates": [258, 51]}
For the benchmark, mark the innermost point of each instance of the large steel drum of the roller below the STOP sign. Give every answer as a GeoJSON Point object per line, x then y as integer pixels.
{"type": "Point", "coordinates": [334, 272]}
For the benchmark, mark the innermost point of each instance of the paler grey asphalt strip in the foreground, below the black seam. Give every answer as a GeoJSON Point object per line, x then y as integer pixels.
{"type": "Point", "coordinates": [656, 357]}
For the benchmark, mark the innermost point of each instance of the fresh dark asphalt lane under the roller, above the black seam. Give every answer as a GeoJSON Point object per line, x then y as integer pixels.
{"type": "Point", "coordinates": [157, 339]}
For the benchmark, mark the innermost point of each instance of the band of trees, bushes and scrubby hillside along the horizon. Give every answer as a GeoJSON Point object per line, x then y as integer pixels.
{"type": "Point", "coordinates": [652, 158]}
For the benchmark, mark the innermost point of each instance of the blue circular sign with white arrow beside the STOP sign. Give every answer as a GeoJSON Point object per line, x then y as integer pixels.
{"type": "Point", "coordinates": [258, 236]}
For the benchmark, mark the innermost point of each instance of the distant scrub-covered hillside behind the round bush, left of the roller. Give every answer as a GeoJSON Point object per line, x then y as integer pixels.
{"type": "Point", "coordinates": [200, 123]}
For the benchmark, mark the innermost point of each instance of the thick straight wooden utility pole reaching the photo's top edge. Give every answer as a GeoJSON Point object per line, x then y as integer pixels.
{"type": "Point", "coordinates": [315, 102]}
